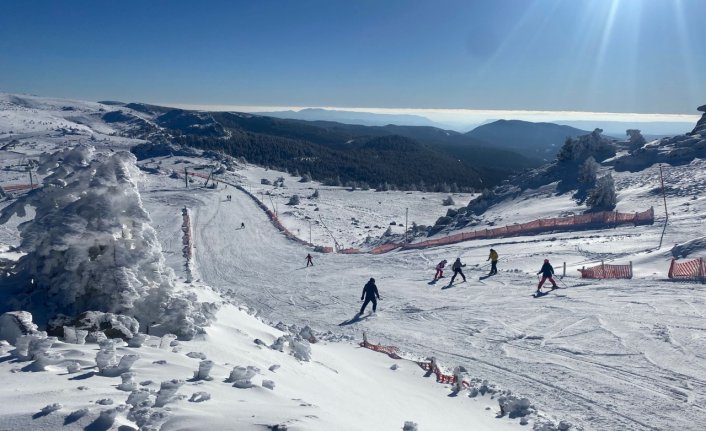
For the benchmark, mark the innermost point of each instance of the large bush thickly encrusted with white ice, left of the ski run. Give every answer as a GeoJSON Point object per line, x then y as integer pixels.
{"type": "Point", "coordinates": [90, 246]}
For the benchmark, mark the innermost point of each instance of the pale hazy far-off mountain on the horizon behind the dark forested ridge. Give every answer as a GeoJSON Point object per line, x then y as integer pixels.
{"type": "Point", "coordinates": [352, 117]}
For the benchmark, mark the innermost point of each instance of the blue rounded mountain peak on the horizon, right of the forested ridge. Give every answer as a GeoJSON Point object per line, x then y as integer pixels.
{"type": "Point", "coordinates": [534, 140]}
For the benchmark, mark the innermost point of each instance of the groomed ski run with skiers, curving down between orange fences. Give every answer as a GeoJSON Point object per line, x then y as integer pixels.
{"type": "Point", "coordinates": [495, 329]}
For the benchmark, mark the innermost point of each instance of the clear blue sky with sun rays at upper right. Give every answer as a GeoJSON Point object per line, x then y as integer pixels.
{"type": "Point", "coordinates": [642, 56]}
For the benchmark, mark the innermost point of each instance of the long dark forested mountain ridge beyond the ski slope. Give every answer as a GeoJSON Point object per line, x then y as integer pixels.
{"type": "Point", "coordinates": [404, 156]}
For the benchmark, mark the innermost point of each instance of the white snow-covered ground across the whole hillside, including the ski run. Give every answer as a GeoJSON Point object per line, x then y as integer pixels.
{"type": "Point", "coordinates": [601, 355]}
